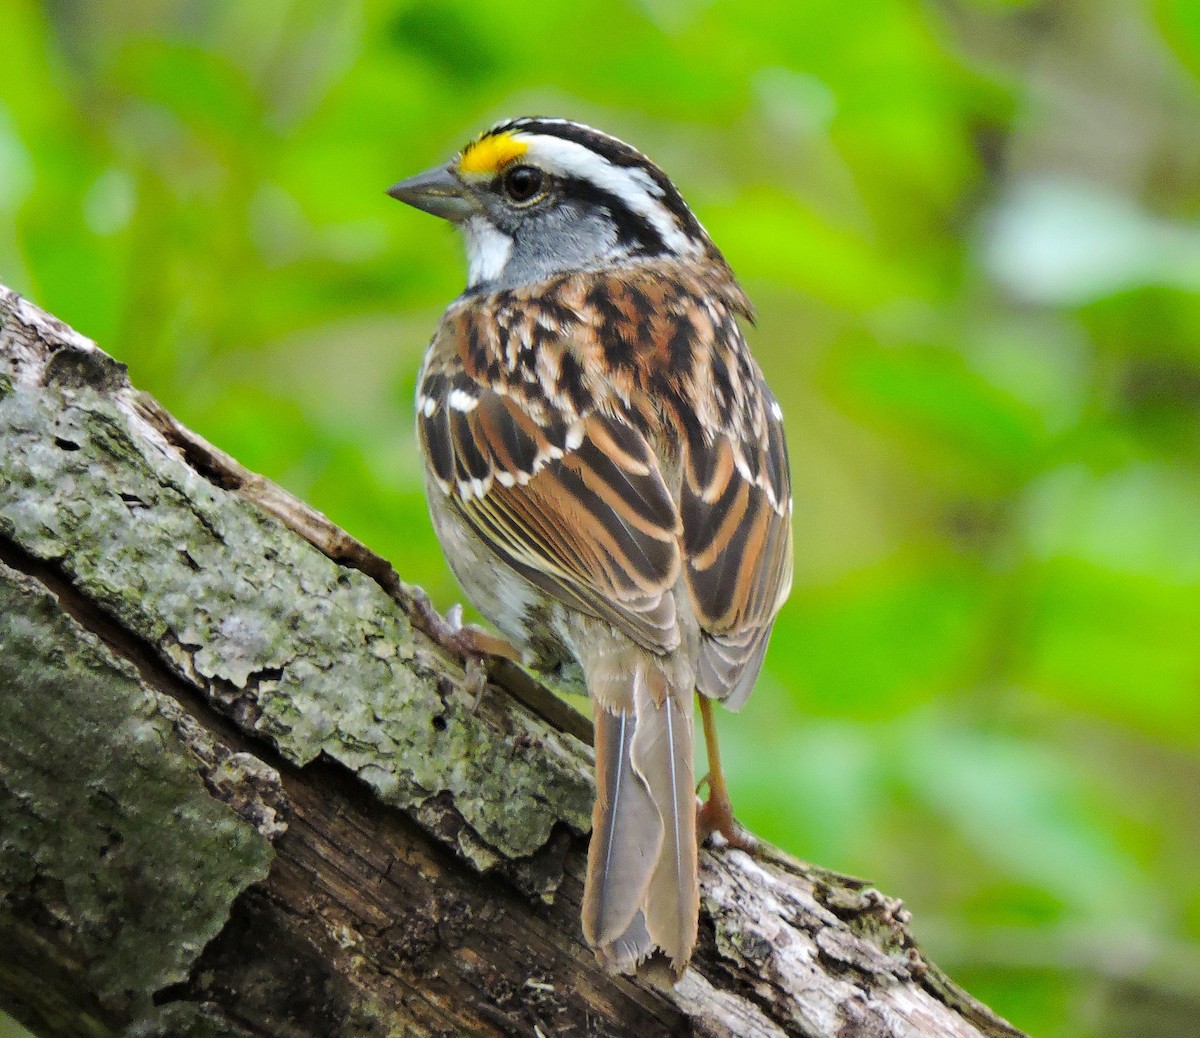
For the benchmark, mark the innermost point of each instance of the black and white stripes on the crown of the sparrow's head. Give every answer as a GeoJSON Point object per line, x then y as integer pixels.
{"type": "Point", "coordinates": [615, 175]}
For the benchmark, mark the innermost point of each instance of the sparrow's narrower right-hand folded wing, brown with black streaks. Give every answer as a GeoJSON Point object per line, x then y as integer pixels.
{"type": "Point", "coordinates": [737, 519]}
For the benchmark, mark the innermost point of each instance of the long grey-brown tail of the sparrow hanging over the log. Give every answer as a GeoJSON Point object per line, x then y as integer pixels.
{"type": "Point", "coordinates": [641, 891]}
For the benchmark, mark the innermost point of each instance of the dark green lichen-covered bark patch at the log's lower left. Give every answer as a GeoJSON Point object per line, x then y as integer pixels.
{"type": "Point", "coordinates": [116, 776]}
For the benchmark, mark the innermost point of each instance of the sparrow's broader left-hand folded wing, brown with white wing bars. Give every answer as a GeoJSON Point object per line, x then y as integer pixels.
{"type": "Point", "coordinates": [577, 505]}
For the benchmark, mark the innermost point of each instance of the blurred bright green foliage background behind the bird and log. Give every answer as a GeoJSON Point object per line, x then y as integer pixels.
{"type": "Point", "coordinates": [973, 231]}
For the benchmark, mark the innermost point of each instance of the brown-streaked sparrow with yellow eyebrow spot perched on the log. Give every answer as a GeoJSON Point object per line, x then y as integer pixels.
{"type": "Point", "coordinates": [608, 476]}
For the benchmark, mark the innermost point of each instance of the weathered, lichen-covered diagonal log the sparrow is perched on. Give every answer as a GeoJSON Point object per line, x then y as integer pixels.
{"type": "Point", "coordinates": [243, 790]}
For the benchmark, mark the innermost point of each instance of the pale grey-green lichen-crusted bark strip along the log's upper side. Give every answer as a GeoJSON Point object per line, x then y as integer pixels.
{"type": "Point", "coordinates": [320, 655]}
